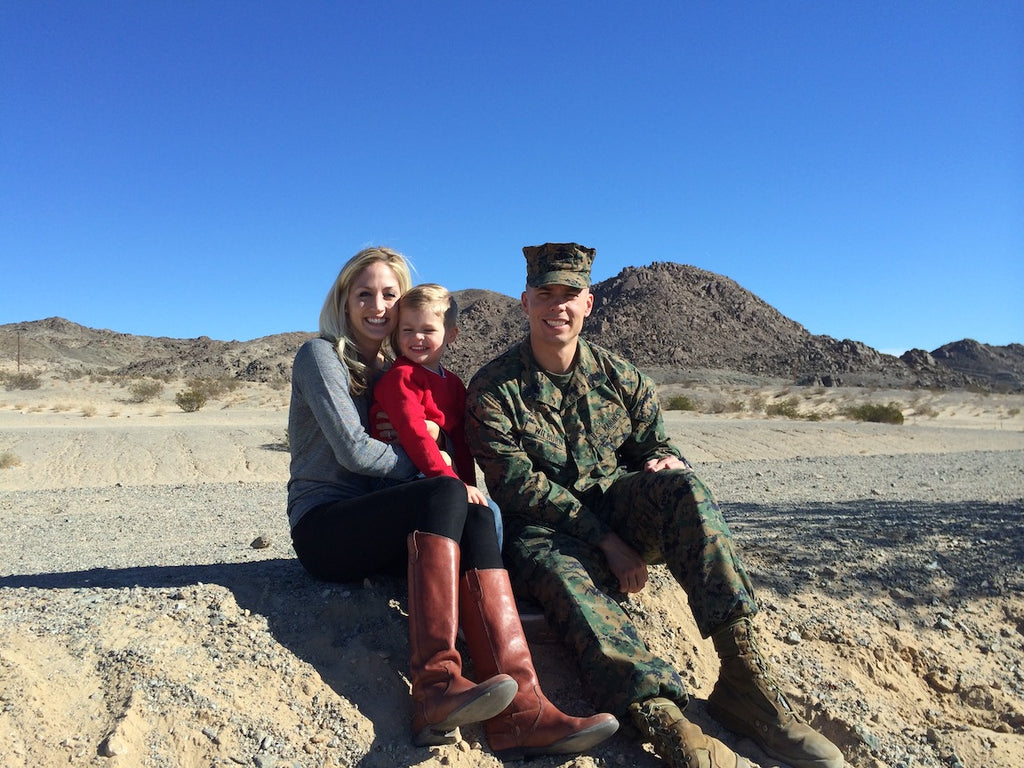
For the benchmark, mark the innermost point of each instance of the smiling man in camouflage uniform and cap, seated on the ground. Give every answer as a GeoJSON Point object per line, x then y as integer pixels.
{"type": "Point", "coordinates": [574, 450]}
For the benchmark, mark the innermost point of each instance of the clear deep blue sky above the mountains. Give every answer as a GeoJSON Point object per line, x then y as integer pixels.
{"type": "Point", "coordinates": [205, 168]}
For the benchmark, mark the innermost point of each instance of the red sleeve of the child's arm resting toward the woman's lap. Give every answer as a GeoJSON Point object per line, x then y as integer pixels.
{"type": "Point", "coordinates": [402, 399]}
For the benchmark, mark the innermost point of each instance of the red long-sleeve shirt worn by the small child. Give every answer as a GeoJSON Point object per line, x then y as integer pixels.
{"type": "Point", "coordinates": [411, 396]}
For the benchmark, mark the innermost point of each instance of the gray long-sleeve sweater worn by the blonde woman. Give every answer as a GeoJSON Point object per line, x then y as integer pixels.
{"type": "Point", "coordinates": [333, 455]}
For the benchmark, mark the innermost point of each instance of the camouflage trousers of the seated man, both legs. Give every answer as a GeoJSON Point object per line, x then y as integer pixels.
{"type": "Point", "coordinates": [668, 518]}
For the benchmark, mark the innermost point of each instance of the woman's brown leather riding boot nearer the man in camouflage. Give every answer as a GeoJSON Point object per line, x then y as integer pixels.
{"type": "Point", "coordinates": [532, 726]}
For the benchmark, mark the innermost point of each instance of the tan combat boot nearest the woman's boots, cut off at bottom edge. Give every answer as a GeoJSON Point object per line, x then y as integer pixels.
{"type": "Point", "coordinates": [678, 742]}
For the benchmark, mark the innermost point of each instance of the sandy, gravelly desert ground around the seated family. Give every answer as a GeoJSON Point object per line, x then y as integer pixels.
{"type": "Point", "coordinates": [152, 613]}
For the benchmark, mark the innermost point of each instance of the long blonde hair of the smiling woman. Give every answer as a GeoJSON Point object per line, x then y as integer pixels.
{"type": "Point", "coordinates": [333, 321]}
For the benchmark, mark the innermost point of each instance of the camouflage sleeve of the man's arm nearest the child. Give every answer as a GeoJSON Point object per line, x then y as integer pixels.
{"type": "Point", "coordinates": [508, 471]}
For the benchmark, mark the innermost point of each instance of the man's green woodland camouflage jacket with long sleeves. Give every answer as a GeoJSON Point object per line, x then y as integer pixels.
{"type": "Point", "coordinates": [547, 452]}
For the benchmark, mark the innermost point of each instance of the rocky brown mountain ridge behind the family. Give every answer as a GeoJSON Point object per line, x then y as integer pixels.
{"type": "Point", "coordinates": [672, 320]}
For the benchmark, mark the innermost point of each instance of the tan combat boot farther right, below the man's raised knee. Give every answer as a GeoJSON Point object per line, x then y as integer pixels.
{"type": "Point", "coordinates": [748, 701]}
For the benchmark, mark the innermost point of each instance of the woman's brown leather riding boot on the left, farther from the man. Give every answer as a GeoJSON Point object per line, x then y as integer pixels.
{"type": "Point", "coordinates": [443, 699]}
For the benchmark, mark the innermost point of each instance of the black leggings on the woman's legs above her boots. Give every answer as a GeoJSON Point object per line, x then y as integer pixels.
{"type": "Point", "coordinates": [350, 540]}
